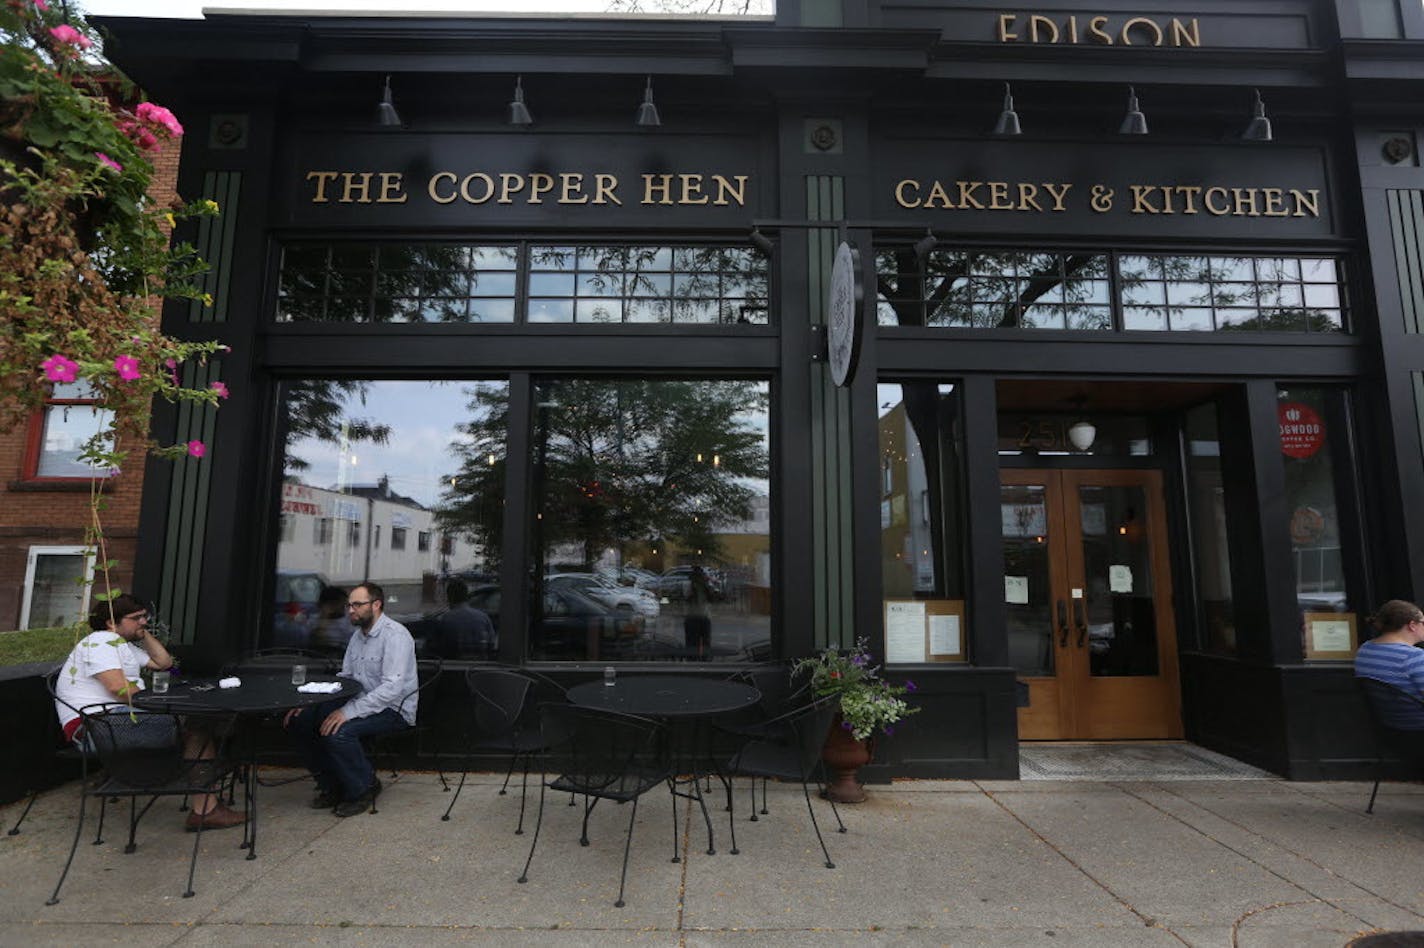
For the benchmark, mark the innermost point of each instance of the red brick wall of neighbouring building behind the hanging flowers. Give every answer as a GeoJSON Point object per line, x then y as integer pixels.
{"type": "Point", "coordinates": [48, 516]}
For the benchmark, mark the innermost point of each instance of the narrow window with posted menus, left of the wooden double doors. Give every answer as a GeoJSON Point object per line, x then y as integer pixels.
{"type": "Point", "coordinates": [922, 522]}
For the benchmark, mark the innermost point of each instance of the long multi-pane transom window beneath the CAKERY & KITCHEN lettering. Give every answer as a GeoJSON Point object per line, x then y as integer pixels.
{"type": "Point", "coordinates": [1093, 291]}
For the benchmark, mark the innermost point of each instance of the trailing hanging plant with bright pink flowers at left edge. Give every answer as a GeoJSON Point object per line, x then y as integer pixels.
{"type": "Point", "coordinates": [85, 248]}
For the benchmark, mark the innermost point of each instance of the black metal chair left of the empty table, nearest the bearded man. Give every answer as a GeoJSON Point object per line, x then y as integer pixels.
{"type": "Point", "coordinates": [503, 720]}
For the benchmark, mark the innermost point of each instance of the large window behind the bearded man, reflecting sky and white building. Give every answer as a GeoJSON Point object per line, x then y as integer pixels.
{"type": "Point", "coordinates": [412, 458]}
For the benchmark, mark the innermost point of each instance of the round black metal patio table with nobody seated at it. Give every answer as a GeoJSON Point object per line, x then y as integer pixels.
{"type": "Point", "coordinates": [687, 704]}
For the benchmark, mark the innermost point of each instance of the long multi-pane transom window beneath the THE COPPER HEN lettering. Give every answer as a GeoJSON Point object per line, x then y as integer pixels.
{"type": "Point", "coordinates": [522, 283]}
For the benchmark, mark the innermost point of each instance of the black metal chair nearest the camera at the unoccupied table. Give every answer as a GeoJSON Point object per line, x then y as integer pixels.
{"type": "Point", "coordinates": [602, 757]}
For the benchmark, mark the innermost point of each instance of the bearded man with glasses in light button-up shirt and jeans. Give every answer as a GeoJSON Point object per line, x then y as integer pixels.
{"type": "Point", "coordinates": [382, 657]}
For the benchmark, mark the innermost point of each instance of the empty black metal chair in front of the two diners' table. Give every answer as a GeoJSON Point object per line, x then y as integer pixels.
{"type": "Point", "coordinates": [143, 755]}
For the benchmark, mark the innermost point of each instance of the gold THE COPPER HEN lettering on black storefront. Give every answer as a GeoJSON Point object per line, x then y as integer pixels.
{"type": "Point", "coordinates": [567, 189]}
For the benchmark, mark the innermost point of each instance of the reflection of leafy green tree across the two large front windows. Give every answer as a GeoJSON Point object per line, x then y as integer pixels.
{"type": "Point", "coordinates": [620, 463]}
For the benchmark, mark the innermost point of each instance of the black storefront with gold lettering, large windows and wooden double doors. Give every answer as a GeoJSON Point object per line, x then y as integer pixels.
{"type": "Point", "coordinates": [1069, 355]}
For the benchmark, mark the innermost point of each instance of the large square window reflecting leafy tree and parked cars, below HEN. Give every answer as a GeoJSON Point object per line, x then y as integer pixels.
{"type": "Point", "coordinates": [651, 520]}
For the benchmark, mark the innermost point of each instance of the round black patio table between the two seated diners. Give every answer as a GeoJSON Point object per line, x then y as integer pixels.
{"type": "Point", "coordinates": [260, 695]}
